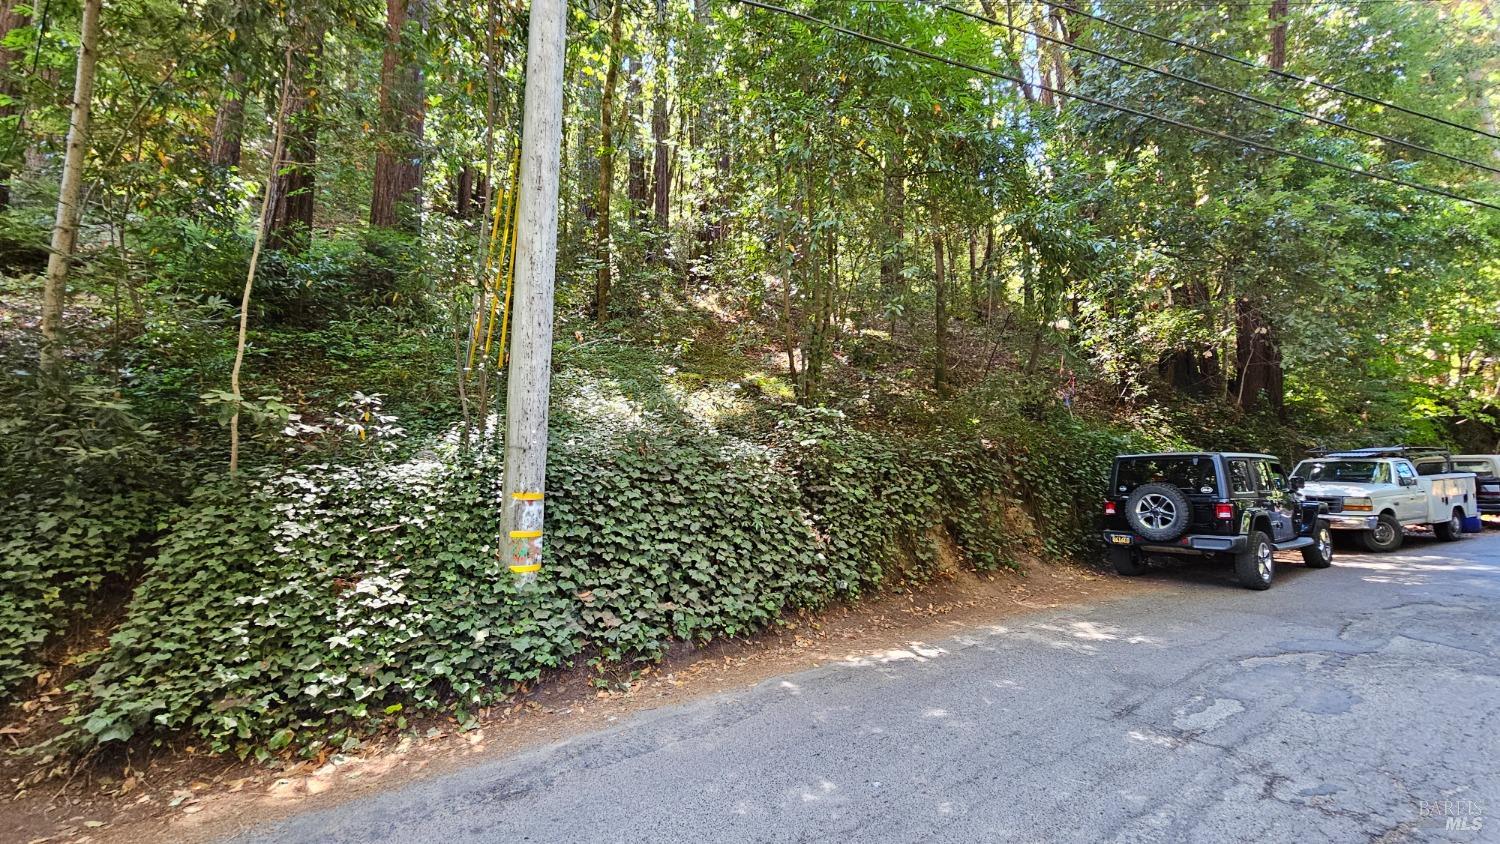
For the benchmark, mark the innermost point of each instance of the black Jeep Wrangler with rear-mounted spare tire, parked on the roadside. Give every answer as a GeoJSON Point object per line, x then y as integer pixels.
{"type": "Point", "coordinates": [1235, 507]}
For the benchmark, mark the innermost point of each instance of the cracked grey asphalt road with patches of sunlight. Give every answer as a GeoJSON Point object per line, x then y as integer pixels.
{"type": "Point", "coordinates": [1357, 704]}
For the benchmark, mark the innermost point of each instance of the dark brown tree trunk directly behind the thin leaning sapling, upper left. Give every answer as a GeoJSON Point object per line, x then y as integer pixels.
{"type": "Point", "coordinates": [295, 194]}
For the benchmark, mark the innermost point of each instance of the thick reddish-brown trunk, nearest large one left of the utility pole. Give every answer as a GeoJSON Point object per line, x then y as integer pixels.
{"type": "Point", "coordinates": [397, 199]}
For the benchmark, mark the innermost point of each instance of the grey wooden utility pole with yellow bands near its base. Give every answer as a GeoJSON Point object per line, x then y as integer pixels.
{"type": "Point", "coordinates": [530, 374]}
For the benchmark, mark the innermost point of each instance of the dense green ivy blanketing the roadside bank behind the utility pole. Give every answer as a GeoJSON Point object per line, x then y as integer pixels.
{"type": "Point", "coordinates": [299, 608]}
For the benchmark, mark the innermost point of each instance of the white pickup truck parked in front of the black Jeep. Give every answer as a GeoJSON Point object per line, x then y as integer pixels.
{"type": "Point", "coordinates": [1382, 491]}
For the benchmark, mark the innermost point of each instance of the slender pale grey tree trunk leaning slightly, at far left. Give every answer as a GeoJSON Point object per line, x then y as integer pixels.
{"type": "Point", "coordinates": [65, 229]}
